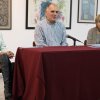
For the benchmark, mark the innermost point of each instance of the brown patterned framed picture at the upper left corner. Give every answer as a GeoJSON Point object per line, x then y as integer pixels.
{"type": "Point", "coordinates": [5, 14]}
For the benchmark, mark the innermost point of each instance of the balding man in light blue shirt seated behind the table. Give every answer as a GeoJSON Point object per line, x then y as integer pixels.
{"type": "Point", "coordinates": [49, 31]}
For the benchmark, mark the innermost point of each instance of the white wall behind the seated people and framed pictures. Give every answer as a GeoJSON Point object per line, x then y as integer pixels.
{"type": "Point", "coordinates": [21, 37]}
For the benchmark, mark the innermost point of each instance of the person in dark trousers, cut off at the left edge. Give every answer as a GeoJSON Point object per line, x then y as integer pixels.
{"type": "Point", "coordinates": [6, 67]}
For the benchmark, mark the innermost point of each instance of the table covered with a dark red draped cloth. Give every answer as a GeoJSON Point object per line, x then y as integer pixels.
{"type": "Point", "coordinates": [57, 73]}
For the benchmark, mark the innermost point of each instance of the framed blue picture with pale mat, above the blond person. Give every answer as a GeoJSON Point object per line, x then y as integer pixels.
{"type": "Point", "coordinates": [87, 11]}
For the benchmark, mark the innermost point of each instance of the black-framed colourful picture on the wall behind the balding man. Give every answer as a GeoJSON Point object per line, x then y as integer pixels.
{"type": "Point", "coordinates": [33, 12]}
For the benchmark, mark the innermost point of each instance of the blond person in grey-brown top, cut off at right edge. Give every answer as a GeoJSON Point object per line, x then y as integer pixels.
{"type": "Point", "coordinates": [94, 33]}
